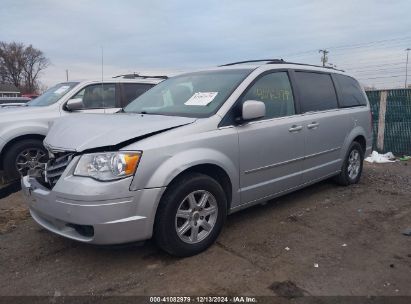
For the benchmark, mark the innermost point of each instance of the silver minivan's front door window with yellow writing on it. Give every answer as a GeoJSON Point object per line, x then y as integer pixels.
{"type": "Point", "coordinates": [275, 91]}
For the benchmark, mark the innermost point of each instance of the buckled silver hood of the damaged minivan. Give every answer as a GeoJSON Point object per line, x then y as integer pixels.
{"type": "Point", "coordinates": [80, 132]}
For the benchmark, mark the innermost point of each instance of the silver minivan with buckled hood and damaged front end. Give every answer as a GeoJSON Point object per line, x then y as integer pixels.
{"type": "Point", "coordinates": [197, 147]}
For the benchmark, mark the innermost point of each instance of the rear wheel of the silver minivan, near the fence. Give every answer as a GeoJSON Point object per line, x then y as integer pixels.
{"type": "Point", "coordinates": [352, 166]}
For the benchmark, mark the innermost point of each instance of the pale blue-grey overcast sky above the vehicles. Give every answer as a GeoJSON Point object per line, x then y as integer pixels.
{"type": "Point", "coordinates": [156, 36]}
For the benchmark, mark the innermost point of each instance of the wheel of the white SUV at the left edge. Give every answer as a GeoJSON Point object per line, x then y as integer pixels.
{"type": "Point", "coordinates": [29, 151]}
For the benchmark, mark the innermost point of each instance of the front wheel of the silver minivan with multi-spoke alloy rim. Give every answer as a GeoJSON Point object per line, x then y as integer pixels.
{"type": "Point", "coordinates": [190, 215]}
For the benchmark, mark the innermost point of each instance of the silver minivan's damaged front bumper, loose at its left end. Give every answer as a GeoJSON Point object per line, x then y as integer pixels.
{"type": "Point", "coordinates": [94, 212]}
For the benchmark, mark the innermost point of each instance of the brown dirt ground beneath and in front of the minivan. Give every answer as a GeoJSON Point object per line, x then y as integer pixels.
{"type": "Point", "coordinates": [354, 234]}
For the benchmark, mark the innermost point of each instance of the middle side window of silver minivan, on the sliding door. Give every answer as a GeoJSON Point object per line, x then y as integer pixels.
{"type": "Point", "coordinates": [317, 91]}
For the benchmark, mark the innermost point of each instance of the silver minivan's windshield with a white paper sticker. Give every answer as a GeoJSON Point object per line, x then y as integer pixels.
{"type": "Point", "coordinates": [198, 94]}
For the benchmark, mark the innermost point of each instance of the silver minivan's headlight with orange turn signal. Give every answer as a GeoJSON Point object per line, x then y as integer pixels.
{"type": "Point", "coordinates": [108, 165]}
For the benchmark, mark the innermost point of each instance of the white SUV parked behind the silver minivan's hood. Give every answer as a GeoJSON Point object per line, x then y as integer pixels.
{"type": "Point", "coordinates": [22, 129]}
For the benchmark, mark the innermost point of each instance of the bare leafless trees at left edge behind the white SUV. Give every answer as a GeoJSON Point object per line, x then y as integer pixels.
{"type": "Point", "coordinates": [21, 65]}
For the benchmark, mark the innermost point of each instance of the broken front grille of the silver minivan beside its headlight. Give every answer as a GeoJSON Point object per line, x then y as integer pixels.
{"type": "Point", "coordinates": [55, 167]}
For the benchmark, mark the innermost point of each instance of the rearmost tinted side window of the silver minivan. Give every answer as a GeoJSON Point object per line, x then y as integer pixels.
{"type": "Point", "coordinates": [350, 91]}
